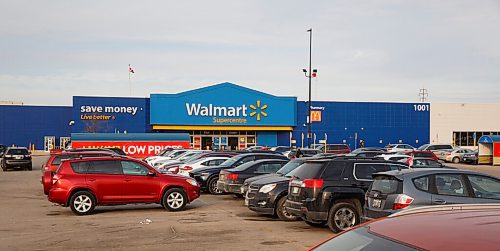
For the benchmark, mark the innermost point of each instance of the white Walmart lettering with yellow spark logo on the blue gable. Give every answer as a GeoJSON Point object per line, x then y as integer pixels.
{"type": "Point", "coordinates": [227, 114]}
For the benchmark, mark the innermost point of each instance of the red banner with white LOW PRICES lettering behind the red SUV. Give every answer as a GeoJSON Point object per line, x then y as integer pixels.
{"type": "Point", "coordinates": [136, 149]}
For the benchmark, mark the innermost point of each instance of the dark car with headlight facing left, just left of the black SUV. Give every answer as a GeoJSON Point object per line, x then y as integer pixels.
{"type": "Point", "coordinates": [266, 194]}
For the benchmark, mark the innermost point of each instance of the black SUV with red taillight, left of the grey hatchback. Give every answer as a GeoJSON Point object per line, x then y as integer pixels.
{"type": "Point", "coordinates": [333, 191]}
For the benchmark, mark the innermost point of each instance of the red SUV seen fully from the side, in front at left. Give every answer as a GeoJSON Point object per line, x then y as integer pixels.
{"type": "Point", "coordinates": [85, 183]}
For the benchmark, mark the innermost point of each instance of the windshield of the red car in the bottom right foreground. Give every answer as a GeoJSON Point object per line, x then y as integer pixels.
{"type": "Point", "coordinates": [361, 239]}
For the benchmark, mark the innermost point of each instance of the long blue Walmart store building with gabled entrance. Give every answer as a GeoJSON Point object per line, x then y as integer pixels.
{"type": "Point", "coordinates": [225, 115]}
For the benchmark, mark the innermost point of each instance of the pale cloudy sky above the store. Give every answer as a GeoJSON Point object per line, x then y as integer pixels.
{"type": "Point", "coordinates": [363, 50]}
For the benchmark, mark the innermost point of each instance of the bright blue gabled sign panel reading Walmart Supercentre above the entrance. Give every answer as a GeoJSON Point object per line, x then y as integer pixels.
{"type": "Point", "coordinates": [223, 104]}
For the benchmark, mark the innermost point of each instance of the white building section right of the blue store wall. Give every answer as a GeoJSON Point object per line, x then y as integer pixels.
{"type": "Point", "coordinates": [463, 124]}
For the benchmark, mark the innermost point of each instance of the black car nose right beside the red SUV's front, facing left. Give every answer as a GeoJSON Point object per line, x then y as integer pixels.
{"type": "Point", "coordinates": [208, 176]}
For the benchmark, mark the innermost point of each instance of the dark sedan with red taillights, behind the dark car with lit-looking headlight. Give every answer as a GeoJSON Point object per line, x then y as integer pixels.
{"type": "Point", "coordinates": [231, 180]}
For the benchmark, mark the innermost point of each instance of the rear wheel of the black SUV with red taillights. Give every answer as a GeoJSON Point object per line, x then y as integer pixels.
{"type": "Point", "coordinates": [342, 216]}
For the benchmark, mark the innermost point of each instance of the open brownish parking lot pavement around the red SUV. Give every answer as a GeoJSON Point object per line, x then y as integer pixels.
{"type": "Point", "coordinates": [29, 222]}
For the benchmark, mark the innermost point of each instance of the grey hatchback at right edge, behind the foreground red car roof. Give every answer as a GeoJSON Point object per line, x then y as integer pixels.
{"type": "Point", "coordinates": [394, 191]}
